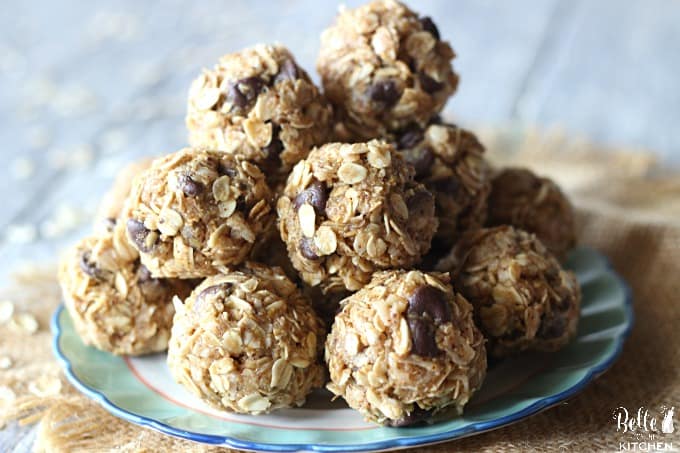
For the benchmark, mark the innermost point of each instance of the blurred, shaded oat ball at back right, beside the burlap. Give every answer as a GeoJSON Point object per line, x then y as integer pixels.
{"type": "Point", "coordinates": [537, 205]}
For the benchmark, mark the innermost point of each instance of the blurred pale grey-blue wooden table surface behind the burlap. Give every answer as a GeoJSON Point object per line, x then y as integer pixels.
{"type": "Point", "coordinates": [87, 86]}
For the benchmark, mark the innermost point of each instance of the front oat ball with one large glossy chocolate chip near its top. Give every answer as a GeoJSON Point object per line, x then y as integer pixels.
{"type": "Point", "coordinates": [404, 348]}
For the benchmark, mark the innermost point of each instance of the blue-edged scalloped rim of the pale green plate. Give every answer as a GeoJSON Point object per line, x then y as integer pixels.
{"type": "Point", "coordinates": [391, 444]}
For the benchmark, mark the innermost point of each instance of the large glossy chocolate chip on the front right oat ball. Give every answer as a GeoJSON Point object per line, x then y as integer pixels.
{"type": "Point", "coordinates": [427, 308]}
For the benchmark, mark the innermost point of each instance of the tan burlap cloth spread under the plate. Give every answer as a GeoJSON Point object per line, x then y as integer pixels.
{"type": "Point", "coordinates": [628, 208]}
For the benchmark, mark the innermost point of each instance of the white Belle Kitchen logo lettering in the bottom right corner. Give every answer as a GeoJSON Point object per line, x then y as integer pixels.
{"type": "Point", "coordinates": [645, 430]}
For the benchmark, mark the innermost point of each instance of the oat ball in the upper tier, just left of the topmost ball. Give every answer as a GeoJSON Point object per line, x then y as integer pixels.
{"type": "Point", "coordinates": [260, 105]}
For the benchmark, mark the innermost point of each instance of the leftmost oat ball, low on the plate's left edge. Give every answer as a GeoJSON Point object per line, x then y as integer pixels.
{"type": "Point", "coordinates": [115, 304]}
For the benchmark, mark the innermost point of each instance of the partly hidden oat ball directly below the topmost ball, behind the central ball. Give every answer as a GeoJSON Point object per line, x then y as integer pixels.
{"type": "Point", "coordinates": [450, 162]}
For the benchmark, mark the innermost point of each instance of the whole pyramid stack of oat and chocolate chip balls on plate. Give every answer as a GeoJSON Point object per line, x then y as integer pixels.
{"type": "Point", "coordinates": [350, 238]}
